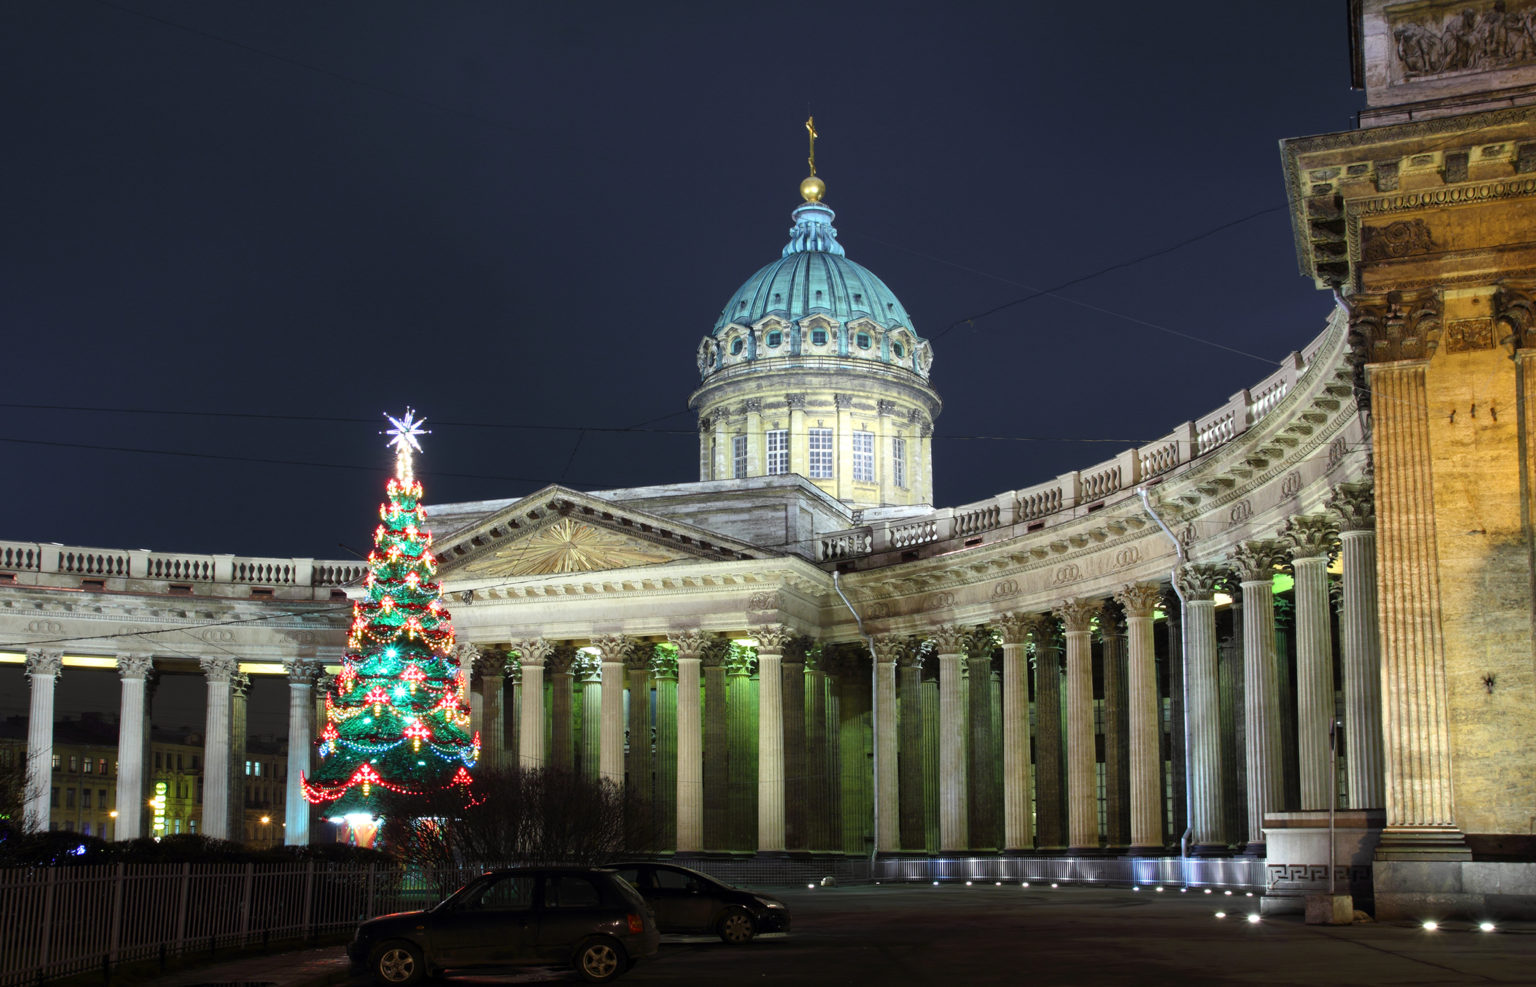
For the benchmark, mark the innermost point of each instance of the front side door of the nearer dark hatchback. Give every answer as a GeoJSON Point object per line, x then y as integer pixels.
{"type": "Point", "coordinates": [492, 925]}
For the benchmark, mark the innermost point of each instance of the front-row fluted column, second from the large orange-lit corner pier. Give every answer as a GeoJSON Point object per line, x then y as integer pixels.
{"type": "Point", "coordinates": [1311, 538]}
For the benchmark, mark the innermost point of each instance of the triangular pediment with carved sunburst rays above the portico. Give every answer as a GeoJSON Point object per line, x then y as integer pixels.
{"type": "Point", "coordinates": [560, 532]}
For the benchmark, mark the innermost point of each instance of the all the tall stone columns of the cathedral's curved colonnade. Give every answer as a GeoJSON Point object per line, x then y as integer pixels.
{"type": "Point", "coordinates": [933, 748]}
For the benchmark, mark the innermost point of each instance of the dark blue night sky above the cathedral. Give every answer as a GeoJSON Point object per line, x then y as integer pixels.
{"type": "Point", "coordinates": [236, 234]}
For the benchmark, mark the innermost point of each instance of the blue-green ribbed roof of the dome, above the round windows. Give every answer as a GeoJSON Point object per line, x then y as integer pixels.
{"type": "Point", "coordinates": [813, 277]}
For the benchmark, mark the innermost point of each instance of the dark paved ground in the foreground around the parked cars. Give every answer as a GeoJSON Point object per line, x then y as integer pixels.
{"type": "Point", "coordinates": [1036, 936]}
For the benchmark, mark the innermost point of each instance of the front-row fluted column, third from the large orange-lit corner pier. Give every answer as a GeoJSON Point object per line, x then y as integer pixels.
{"type": "Point", "coordinates": [1256, 563]}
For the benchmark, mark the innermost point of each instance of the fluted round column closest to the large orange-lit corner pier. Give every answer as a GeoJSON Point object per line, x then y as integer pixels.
{"type": "Point", "coordinates": [1356, 507]}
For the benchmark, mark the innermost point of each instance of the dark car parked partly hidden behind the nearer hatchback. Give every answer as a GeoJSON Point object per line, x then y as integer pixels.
{"type": "Point", "coordinates": [690, 902]}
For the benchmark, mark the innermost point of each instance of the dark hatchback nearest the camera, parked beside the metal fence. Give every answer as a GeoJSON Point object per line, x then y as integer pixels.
{"type": "Point", "coordinates": [580, 917]}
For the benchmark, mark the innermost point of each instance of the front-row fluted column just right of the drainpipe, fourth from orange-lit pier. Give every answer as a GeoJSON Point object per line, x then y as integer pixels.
{"type": "Point", "coordinates": [1203, 718]}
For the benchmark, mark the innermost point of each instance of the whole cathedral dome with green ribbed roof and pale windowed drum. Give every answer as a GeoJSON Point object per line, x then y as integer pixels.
{"type": "Point", "coordinates": [815, 369]}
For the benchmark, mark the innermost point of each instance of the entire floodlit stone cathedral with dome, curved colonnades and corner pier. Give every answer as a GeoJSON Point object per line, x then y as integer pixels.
{"type": "Point", "coordinates": [1170, 665]}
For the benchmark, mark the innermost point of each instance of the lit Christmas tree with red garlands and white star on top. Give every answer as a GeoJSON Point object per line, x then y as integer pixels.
{"type": "Point", "coordinates": [397, 716]}
